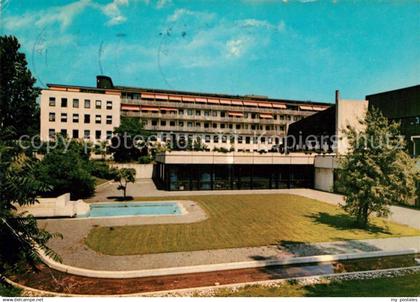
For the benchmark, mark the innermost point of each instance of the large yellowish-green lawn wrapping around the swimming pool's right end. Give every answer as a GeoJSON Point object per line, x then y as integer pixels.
{"type": "Point", "coordinates": [242, 221]}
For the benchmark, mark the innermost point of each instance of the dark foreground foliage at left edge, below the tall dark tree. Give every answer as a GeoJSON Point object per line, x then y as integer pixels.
{"type": "Point", "coordinates": [20, 236]}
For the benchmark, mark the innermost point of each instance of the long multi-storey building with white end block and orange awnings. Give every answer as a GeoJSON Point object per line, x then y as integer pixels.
{"type": "Point", "coordinates": [242, 123]}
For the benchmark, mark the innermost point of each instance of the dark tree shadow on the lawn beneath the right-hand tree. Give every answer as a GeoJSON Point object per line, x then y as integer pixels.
{"type": "Point", "coordinates": [345, 222]}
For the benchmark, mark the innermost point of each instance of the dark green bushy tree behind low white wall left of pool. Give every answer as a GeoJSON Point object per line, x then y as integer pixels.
{"type": "Point", "coordinates": [67, 169]}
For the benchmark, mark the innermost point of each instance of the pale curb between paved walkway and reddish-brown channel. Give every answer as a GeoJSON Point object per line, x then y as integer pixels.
{"type": "Point", "coordinates": [212, 267]}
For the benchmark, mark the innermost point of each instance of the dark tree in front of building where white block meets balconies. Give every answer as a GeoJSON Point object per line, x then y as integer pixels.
{"type": "Point", "coordinates": [129, 142]}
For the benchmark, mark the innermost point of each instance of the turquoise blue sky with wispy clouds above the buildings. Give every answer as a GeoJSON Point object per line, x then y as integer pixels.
{"type": "Point", "coordinates": [303, 49]}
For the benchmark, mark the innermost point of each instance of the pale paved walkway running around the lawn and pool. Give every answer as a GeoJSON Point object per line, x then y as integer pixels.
{"type": "Point", "coordinates": [75, 253]}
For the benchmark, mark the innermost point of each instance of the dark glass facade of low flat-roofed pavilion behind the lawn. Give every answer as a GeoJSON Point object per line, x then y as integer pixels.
{"type": "Point", "coordinates": [189, 177]}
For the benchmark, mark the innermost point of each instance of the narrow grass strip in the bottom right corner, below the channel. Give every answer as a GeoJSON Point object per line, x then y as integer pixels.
{"type": "Point", "coordinates": [402, 286]}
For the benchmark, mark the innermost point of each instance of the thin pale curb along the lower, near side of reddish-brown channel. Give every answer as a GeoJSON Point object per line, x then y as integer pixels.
{"type": "Point", "coordinates": [214, 287]}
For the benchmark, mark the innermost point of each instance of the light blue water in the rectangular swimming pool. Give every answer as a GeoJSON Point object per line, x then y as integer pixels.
{"type": "Point", "coordinates": [134, 209]}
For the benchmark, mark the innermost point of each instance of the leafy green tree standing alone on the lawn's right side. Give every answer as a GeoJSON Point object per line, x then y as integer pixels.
{"type": "Point", "coordinates": [376, 172]}
